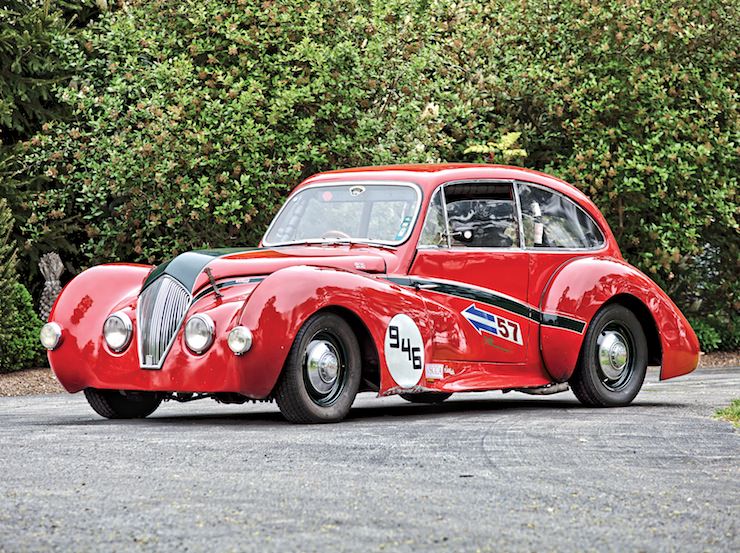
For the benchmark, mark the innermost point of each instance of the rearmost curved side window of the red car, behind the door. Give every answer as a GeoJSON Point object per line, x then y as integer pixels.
{"type": "Point", "coordinates": [551, 220]}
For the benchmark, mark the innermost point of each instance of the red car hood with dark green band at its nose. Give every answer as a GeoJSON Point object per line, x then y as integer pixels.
{"type": "Point", "coordinates": [190, 268]}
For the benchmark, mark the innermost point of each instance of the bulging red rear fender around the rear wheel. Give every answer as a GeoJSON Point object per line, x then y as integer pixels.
{"type": "Point", "coordinates": [582, 286]}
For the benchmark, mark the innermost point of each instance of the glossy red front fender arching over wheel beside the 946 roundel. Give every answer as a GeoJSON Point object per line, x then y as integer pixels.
{"type": "Point", "coordinates": [281, 304]}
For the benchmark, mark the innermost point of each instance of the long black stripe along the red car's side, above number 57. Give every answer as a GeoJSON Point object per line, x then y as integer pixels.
{"type": "Point", "coordinates": [493, 299]}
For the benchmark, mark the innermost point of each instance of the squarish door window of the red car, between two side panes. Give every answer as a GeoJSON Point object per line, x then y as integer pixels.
{"type": "Point", "coordinates": [482, 215]}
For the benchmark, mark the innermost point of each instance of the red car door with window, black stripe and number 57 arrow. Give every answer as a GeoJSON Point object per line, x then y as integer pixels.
{"type": "Point", "coordinates": [472, 268]}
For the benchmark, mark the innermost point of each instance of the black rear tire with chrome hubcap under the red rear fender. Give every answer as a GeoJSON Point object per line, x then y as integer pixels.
{"type": "Point", "coordinates": [601, 379]}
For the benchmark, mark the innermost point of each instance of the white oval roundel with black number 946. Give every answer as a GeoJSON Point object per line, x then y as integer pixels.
{"type": "Point", "coordinates": [404, 351]}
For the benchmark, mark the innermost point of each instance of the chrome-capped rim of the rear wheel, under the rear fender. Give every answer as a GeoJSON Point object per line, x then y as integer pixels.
{"type": "Point", "coordinates": [615, 356]}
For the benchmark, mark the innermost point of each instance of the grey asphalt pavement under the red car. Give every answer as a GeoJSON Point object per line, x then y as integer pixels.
{"type": "Point", "coordinates": [481, 472]}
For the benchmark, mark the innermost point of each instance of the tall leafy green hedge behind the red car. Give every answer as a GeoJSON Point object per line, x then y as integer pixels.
{"type": "Point", "coordinates": [192, 120]}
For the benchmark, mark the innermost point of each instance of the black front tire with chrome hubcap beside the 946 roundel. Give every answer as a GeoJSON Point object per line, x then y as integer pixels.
{"type": "Point", "coordinates": [306, 392]}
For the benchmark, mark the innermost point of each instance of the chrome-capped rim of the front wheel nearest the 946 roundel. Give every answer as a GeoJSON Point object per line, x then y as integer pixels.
{"type": "Point", "coordinates": [324, 369]}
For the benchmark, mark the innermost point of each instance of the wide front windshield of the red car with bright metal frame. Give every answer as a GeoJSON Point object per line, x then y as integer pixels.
{"type": "Point", "coordinates": [382, 213]}
